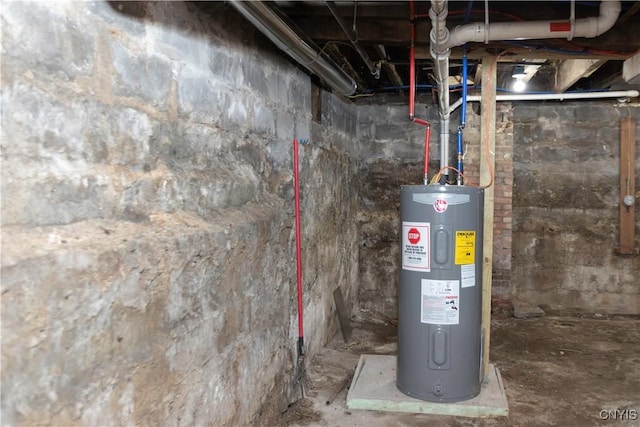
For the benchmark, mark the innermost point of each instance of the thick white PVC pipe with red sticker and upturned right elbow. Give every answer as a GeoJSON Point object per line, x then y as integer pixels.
{"type": "Point", "coordinates": [585, 27]}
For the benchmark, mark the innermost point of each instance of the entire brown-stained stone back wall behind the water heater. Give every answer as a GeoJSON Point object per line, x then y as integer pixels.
{"type": "Point", "coordinates": [556, 193]}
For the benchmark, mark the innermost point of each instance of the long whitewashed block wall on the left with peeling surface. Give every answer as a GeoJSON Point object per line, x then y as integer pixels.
{"type": "Point", "coordinates": [148, 267]}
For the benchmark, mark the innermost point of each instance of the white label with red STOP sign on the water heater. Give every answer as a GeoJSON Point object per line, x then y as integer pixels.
{"type": "Point", "coordinates": [416, 238]}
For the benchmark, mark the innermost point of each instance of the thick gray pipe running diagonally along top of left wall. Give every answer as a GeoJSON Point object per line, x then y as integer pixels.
{"type": "Point", "coordinates": [272, 26]}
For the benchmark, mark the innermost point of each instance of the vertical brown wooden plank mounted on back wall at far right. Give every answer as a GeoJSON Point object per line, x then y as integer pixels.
{"type": "Point", "coordinates": [627, 185]}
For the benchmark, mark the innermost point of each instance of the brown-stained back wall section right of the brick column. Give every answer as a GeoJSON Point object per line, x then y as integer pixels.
{"type": "Point", "coordinates": [565, 208]}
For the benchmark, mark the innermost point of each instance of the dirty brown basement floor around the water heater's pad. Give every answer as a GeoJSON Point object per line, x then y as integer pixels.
{"type": "Point", "coordinates": [557, 371]}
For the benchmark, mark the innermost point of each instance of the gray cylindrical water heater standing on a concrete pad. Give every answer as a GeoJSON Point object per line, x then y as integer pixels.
{"type": "Point", "coordinates": [440, 296]}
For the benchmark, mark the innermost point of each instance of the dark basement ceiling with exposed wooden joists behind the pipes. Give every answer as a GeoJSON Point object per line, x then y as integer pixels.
{"type": "Point", "coordinates": [381, 31]}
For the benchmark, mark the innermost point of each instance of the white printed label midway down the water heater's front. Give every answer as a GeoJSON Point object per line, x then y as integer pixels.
{"type": "Point", "coordinates": [440, 302]}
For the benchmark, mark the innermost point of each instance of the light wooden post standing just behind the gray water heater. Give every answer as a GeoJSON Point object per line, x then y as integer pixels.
{"type": "Point", "coordinates": [487, 170]}
